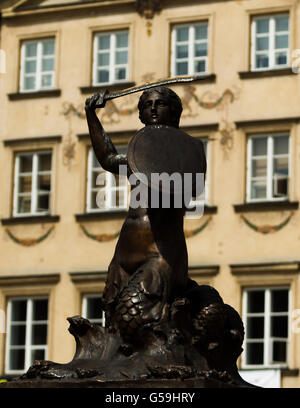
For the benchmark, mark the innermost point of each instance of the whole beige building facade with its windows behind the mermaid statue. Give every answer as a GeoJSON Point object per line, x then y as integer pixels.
{"type": "Point", "coordinates": [59, 224]}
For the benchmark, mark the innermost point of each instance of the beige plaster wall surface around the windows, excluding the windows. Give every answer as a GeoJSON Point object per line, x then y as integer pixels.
{"type": "Point", "coordinates": [226, 240]}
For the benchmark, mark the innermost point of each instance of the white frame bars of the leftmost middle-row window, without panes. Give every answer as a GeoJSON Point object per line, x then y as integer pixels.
{"type": "Point", "coordinates": [34, 183]}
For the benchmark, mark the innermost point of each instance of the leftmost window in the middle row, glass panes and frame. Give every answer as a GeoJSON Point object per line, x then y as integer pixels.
{"type": "Point", "coordinates": [32, 183]}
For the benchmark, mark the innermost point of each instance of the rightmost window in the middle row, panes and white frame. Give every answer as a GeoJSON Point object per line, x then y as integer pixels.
{"type": "Point", "coordinates": [268, 167]}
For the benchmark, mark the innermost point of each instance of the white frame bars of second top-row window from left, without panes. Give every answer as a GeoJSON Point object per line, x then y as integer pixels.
{"type": "Point", "coordinates": [112, 63]}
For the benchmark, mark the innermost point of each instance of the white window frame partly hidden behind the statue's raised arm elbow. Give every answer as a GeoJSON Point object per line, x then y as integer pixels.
{"type": "Point", "coordinates": [110, 189]}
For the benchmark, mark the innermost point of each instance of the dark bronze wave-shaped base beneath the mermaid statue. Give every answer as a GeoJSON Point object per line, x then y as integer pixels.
{"type": "Point", "coordinates": [194, 345]}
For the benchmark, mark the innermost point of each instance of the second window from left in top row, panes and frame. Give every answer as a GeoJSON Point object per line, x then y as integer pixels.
{"type": "Point", "coordinates": [110, 57]}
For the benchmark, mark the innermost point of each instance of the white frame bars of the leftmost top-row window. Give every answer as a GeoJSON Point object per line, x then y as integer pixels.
{"type": "Point", "coordinates": [38, 73]}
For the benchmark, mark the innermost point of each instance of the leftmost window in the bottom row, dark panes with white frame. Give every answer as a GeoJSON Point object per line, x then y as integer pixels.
{"type": "Point", "coordinates": [27, 332]}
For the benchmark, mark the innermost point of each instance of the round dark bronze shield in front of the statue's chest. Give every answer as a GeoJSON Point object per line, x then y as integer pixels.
{"type": "Point", "coordinates": [160, 152]}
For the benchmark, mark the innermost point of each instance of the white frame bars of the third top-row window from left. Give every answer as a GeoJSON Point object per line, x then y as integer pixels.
{"type": "Point", "coordinates": [191, 41]}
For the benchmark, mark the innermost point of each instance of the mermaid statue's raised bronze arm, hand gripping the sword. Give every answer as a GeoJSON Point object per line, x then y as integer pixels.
{"type": "Point", "coordinates": [104, 149]}
